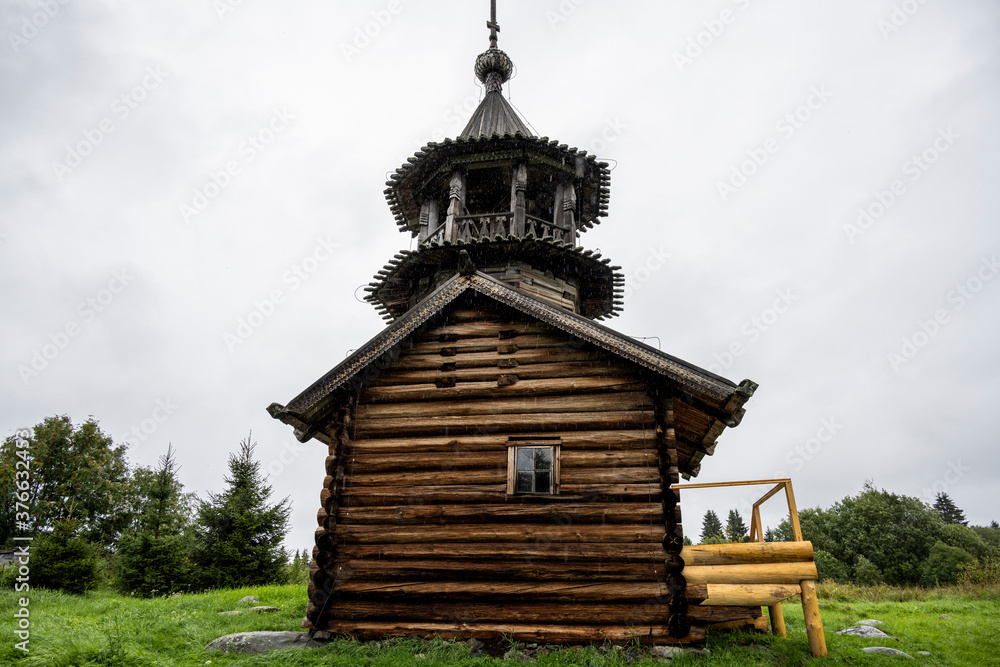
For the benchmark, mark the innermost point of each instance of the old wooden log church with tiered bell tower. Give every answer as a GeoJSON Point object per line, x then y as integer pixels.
{"type": "Point", "coordinates": [499, 462]}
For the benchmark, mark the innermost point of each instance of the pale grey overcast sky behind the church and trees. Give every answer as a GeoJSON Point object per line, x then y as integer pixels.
{"type": "Point", "coordinates": [804, 194]}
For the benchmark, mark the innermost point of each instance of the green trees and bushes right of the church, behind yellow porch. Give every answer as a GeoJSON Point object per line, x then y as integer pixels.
{"type": "Point", "coordinates": [878, 537]}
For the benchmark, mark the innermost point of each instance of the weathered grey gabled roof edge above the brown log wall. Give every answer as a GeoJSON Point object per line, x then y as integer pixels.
{"type": "Point", "coordinates": [309, 406]}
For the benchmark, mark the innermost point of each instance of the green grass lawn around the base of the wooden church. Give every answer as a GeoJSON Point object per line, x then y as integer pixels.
{"type": "Point", "coordinates": [104, 628]}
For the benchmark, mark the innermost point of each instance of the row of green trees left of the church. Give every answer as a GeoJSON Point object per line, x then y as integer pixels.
{"type": "Point", "coordinates": [96, 519]}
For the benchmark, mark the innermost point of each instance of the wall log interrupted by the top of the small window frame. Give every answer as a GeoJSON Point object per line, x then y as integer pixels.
{"type": "Point", "coordinates": [599, 440]}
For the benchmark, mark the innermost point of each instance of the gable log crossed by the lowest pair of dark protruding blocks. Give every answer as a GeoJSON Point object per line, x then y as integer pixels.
{"type": "Point", "coordinates": [524, 370]}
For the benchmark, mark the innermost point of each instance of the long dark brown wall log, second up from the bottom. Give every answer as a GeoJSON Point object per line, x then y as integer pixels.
{"type": "Point", "coordinates": [648, 612]}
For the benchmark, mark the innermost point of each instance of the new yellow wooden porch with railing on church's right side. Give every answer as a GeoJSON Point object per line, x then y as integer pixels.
{"type": "Point", "coordinates": [767, 566]}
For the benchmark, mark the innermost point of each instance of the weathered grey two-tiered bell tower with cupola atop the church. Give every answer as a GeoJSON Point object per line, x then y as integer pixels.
{"type": "Point", "coordinates": [515, 203]}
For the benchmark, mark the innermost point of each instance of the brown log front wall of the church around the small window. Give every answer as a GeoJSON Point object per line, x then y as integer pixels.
{"type": "Point", "coordinates": [418, 534]}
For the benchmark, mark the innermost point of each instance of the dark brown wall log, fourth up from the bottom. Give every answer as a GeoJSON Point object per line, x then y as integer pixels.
{"type": "Point", "coordinates": [535, 570]}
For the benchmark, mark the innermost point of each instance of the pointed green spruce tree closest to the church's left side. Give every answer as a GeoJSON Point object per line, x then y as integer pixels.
{"type": "Point", "coordinates": [240, 533]}
